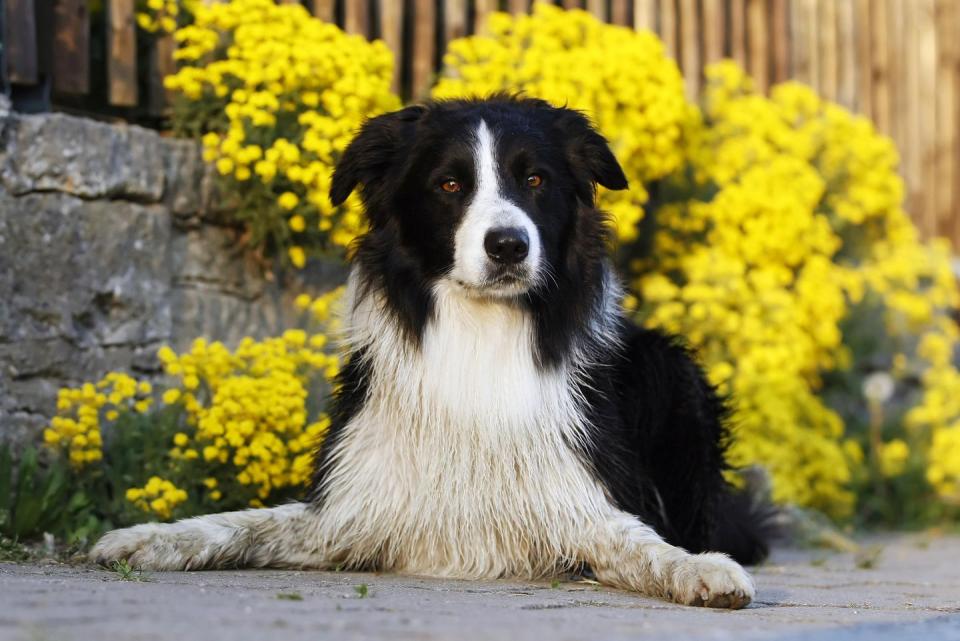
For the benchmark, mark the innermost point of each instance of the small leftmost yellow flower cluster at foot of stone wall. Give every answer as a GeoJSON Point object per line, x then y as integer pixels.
{"type": "Point", "coordinates": [75, 429]}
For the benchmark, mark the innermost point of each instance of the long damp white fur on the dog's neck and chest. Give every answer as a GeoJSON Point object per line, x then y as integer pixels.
{"type": "Point", "coordinates": [460, 462]}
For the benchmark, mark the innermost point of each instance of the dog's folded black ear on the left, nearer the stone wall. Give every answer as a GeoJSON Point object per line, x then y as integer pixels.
{"type": "Point", "coordinates": [372, 150]}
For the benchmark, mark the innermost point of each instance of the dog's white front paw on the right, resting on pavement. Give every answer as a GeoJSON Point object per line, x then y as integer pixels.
{"type": "Point", "coordinates": [711, 580]}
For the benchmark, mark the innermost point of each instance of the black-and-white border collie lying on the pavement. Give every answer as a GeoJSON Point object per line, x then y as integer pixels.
{"type": "Point", "coordinates": [498, 416]}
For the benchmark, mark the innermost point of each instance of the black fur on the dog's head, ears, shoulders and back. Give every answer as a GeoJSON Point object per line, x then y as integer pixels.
{"type": "Point", "coordinates": [660, 430]}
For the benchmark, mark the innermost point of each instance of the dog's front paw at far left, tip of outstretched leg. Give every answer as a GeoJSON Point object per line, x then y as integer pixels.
{"type": "Point", "coordinates": [152, 546]}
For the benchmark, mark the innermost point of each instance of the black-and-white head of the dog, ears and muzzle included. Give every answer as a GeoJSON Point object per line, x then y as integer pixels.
{"type": "Point", "coordinates": [486, 195]}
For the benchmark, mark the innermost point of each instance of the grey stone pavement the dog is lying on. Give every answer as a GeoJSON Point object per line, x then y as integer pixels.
{"type": "Point", "coordinates": [912, 591]}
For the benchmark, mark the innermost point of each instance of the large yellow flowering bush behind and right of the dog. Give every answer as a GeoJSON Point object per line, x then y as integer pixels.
{"type": "Point", "coordinates": [771, 236]}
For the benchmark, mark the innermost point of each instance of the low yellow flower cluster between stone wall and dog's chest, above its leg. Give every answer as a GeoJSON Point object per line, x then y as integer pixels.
{"type": "Point", "coordinates": [248, 408]}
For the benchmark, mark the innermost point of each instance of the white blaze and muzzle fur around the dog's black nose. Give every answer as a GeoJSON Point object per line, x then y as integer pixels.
{"type": "Point", "coordinates": [489, 210]}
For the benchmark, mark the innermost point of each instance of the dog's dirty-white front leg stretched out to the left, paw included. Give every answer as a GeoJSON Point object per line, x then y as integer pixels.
{"type": "Point", "coordinates": [288, 536]}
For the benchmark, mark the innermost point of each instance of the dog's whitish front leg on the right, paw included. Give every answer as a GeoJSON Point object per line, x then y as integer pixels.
{"type": "Point", "coordinates": [625, 553]}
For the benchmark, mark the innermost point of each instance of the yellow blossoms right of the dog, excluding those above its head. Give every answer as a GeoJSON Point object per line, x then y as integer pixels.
{"type": "Point", "coordinates": [791, 213]}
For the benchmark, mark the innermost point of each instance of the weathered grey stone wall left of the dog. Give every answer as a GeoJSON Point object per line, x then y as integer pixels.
{"type": "Point", "coordinates": [111, 244]}
